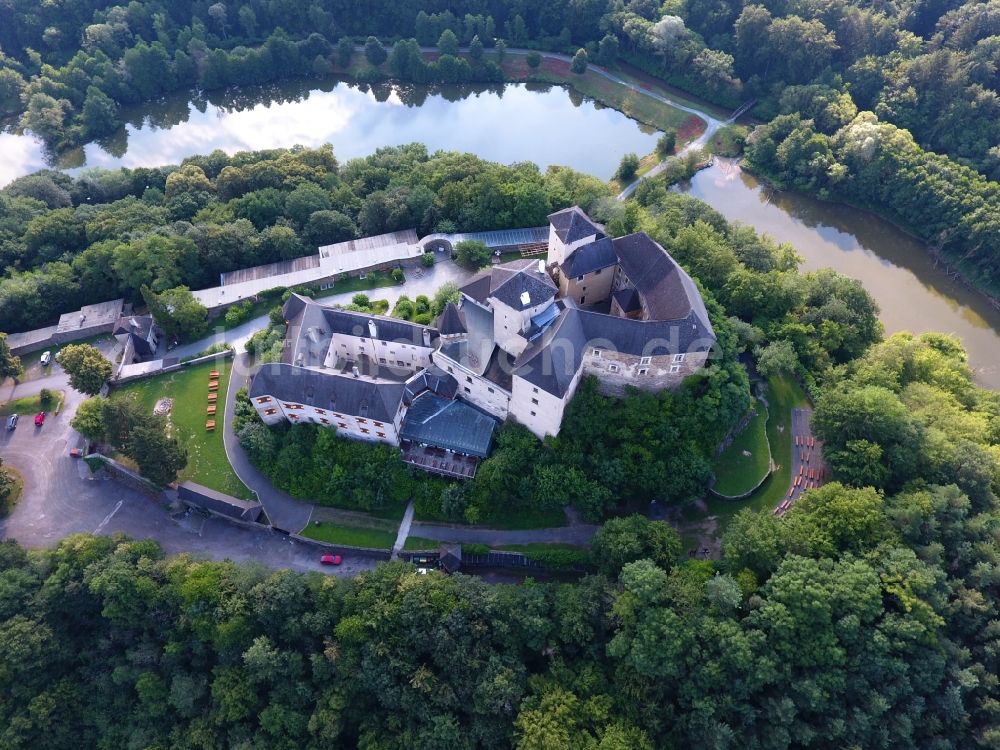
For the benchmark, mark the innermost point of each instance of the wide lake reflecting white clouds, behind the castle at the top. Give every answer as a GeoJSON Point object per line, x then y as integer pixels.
{"type": "Point", "coordinates": [518, 122]}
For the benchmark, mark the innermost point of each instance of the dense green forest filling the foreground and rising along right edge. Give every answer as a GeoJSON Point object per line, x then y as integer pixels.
{"type": "Point", "coordinates": [866, 617]}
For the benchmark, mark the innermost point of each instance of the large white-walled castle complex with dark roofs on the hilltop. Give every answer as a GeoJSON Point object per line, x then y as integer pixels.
{"type": "Point", "coordinates": [516, 345]}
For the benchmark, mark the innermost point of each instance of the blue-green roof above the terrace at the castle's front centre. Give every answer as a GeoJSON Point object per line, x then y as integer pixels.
{"type": "Point", "coordinates": [449, 424]}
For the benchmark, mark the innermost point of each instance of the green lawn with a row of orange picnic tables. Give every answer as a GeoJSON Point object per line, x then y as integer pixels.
{"type": "Point", "coordinates": [188, 387]}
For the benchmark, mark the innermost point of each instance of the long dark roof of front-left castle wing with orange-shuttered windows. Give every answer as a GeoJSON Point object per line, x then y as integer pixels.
{"type": "Point", "coordinates": [359, 397]}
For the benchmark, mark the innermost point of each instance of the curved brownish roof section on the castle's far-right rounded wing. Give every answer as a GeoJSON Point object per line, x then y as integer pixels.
{"type": "Point", "coordinates": [666, 290]}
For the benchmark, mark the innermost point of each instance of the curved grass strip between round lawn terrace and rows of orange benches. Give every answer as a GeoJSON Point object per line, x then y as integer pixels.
{"type": "Point", "coordinates": [782, 395]}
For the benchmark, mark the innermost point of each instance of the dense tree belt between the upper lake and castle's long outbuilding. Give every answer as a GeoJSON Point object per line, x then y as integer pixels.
{"type": "Point", "coordinates": [106, 234]}
